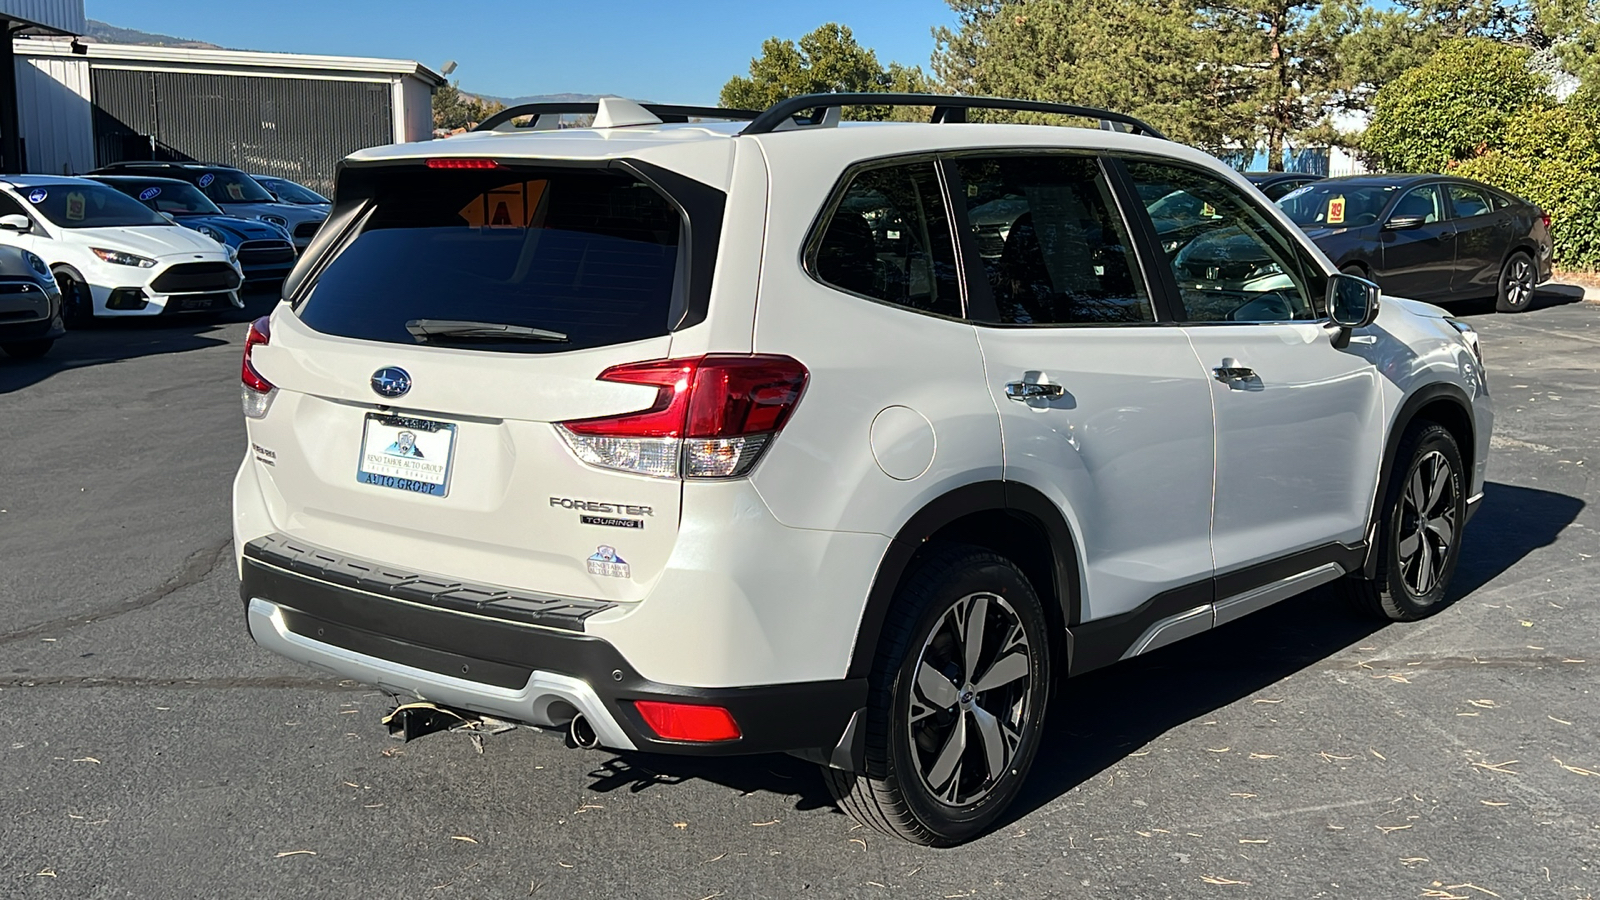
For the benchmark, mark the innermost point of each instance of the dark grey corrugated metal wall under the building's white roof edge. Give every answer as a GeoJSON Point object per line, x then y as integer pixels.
{"type": "Point", "coordinates": [295, 129]}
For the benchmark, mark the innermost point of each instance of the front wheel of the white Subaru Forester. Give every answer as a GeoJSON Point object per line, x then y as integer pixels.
{"type": "Point", "coordinates": [1420, 534]}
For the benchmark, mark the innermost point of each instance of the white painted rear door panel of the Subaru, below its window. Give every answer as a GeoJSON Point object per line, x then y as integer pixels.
{"type": "Point", "coordinates": [1127, 451]}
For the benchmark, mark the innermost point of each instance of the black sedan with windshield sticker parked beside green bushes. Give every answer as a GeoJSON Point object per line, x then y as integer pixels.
{"type": "Point", "coordinates": [1430, 236]}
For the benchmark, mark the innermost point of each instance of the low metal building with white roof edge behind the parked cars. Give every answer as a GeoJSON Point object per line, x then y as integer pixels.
{"type": "Point", "coordinates": [89, 105]}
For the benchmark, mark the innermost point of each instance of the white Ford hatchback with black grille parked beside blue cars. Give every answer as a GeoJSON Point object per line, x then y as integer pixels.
{"type": "Point", "coordinates": [113, 255]}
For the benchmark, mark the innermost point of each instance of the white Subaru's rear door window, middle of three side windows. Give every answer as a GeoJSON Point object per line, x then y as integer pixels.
{"type": "Point", "coordinates": [1052, 243]}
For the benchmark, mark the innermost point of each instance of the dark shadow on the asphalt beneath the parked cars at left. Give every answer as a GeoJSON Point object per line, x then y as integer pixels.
{"type": "Point", "coordinates": [122, 340]}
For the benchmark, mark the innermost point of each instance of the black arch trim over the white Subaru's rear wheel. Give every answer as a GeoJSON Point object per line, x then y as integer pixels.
{"type": "Point", "coordinates": [1022, 500]}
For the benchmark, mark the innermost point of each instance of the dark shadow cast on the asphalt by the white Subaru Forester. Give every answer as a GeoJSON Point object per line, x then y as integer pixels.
{"type": "Point", "coordinates": [1098, 720]}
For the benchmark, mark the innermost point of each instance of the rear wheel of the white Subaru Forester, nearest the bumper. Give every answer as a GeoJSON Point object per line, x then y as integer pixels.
{"type": "Point", "coordinates": [958, 701]}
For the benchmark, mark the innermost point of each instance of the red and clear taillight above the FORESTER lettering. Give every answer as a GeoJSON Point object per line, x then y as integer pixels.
{"type": "Point", "coordinates": [713, 417]}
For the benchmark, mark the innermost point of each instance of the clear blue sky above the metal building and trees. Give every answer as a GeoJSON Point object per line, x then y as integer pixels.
{"type": "Point", "coordinates": [665, 50]}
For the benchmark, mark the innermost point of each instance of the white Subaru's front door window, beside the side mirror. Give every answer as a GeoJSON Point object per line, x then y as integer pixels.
{"type": "Point", "coordinates": [1231, 263]}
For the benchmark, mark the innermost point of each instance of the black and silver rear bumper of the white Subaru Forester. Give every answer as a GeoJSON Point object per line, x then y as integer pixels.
{"type": "Point", "coordinates": [542, 675]}
